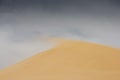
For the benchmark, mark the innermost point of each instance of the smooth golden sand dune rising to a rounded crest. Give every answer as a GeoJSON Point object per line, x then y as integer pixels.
{"type": "Point", "coordinates": [71, 60]}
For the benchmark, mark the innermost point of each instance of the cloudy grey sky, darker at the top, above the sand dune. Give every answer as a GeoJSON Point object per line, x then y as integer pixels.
{"type": "Point", "coordinates": [23, 22]}
